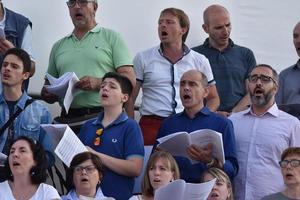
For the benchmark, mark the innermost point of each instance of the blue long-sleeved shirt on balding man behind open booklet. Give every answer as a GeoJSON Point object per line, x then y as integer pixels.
{"type": "Point", "coordinates": [204, 119]}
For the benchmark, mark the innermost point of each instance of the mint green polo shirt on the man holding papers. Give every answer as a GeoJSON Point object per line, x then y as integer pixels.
{"type": "Point", "coordinates": [100, 51]}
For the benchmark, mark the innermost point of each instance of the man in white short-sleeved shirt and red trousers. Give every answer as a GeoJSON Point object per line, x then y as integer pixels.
{"type": "Point", "coordinates": [158, 71]}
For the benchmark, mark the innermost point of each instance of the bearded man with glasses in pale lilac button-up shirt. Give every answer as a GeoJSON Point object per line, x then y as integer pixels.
{"type": "Point", "coordinates": [262, 133]}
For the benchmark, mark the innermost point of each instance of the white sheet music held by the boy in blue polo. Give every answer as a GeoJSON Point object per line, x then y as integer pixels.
{"type": "Point", "coordinates": [66, 143]}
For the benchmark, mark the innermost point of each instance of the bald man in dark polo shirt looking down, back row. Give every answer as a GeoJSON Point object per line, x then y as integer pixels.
{"type": "Point", "coordinates": [230, 63]}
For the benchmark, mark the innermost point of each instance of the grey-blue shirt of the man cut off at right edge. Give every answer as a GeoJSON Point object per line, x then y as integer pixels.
{"type": "Point", "coordinates": [289, 85]}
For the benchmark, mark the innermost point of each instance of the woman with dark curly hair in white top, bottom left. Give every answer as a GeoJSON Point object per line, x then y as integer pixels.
{"type": "Point", "coordinates": [26, 170]}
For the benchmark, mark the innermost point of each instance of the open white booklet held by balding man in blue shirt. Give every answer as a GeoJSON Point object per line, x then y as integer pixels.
{"type": "Point", "coordinates": [177, 143]}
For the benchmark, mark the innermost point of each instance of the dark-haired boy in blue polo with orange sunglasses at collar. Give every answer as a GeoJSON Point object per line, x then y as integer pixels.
{"type": "Point", "coordinates": [115, 138]}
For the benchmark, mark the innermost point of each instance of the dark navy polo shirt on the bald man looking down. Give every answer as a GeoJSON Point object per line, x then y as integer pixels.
{"type": "Point", "coordinates": [231, 68]}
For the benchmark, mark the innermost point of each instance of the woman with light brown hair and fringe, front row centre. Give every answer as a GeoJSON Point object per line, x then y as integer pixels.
{"type": "Point", "coordinates": [160, 170]}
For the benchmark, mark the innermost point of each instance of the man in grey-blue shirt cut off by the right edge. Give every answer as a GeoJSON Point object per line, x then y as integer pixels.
{"type": "Point", "coordinates": [289, 87]}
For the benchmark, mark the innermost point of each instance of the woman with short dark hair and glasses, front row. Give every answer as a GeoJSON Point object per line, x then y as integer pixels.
{"type": "Point", "coordinates": [84, 177]}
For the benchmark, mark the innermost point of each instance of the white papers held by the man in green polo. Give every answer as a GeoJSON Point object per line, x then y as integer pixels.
{"type": "Point", "coordinates": [64, 87]}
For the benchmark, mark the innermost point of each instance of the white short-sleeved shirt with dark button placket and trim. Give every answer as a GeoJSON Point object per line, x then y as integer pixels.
{"type": "Point", "coordinates": [160, 79]}
